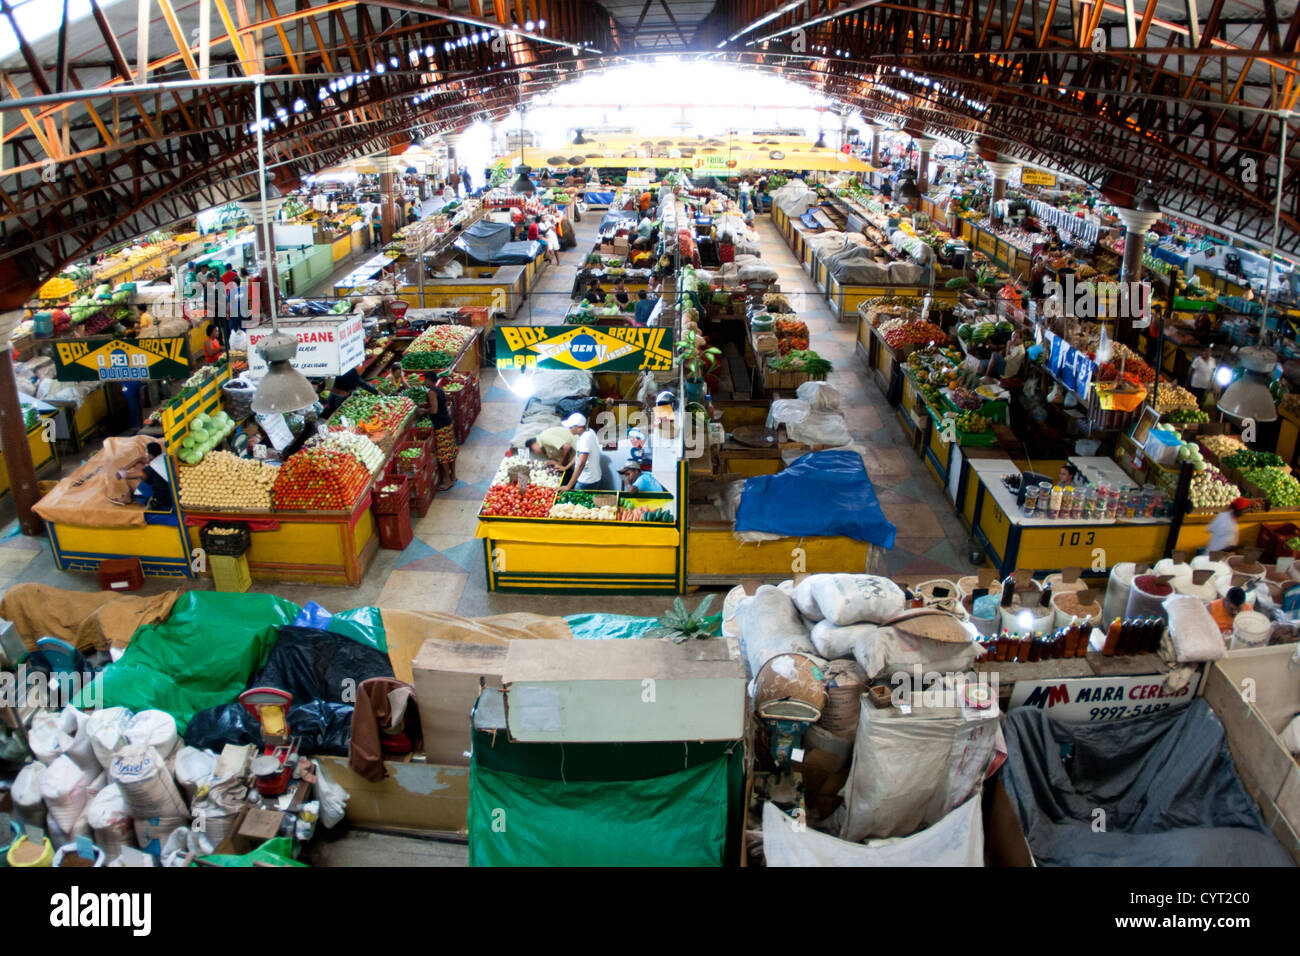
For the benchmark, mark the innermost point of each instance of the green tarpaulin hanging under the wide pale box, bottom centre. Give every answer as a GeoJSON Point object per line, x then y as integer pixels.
{"type": "Point", "coordinates": [679, 820]}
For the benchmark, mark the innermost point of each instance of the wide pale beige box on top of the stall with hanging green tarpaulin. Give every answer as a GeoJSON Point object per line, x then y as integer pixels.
{"type": "Point", "coordinates": [625, 691]}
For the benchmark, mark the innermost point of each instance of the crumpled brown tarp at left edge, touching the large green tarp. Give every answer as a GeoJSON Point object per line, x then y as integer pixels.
{"type": "Point", "coordinates": [88, 620]}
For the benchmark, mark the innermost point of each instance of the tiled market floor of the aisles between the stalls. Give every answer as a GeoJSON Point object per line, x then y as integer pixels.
{"type": "Point", "coordinates": [443, 568]}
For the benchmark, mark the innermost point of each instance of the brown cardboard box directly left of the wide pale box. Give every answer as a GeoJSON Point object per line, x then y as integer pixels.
{"type": "Point", "coordinates": [448, 677]}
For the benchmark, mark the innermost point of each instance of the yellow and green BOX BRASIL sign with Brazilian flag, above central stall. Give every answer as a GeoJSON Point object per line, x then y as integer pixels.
{"type": "Point", "coordinates": [586, 348]}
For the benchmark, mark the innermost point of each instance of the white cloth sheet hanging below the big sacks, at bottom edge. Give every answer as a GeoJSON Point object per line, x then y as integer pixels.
{"type": "Point", "coordinates": [955, 841]}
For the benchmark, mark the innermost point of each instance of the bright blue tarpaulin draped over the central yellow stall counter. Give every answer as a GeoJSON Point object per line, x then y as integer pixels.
{"type": "Point", "coordinates": [821, 494]}
